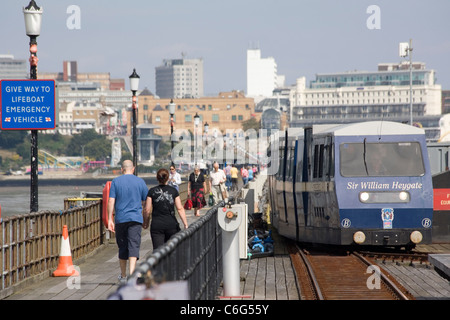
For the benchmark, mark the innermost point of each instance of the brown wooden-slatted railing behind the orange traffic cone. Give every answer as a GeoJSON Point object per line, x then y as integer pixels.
{"type": "Point", "coordinates": [30, 243]}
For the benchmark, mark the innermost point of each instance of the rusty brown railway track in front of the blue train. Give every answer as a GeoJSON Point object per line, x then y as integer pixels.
{"type": "Point", "coordinates": [325, 275]}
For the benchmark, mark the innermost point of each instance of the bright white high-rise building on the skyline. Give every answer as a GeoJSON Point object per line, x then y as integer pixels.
{"type": "Point", "coordinates": [262, 76]}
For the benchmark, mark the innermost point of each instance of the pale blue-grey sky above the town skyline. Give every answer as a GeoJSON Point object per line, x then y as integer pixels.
{"type": "Point", "coordinates": [304, 36]}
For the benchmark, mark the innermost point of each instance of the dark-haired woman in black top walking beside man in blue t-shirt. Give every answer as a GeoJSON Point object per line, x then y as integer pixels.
{"type": "Point", "coordinates": [160, 205]}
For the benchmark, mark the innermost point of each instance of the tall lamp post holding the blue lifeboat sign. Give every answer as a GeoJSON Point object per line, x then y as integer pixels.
{"type": "Point", "coordinates": [33, 19]}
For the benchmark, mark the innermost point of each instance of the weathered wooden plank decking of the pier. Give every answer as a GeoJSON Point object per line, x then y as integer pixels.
{"type": "Point", "coordinates": [267, 278]}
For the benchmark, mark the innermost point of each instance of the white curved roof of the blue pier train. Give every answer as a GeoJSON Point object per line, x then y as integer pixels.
{"type": "Point", "coordinates": [372, 128]}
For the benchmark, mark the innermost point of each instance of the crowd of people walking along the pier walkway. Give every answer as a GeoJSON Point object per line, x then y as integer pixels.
{"type": "Point", "coordinates": [131, 204]}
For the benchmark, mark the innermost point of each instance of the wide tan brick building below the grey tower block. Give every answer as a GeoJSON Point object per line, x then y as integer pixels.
{"type": "Point", "coordinates": [226, 111]}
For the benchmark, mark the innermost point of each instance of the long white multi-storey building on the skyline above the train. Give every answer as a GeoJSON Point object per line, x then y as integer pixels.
{"type": "Point", "coordinates": [361, 96]}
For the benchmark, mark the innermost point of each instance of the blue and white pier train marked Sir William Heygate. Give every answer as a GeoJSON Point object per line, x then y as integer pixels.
{"type": "Point", "coordinates": [362, 183]}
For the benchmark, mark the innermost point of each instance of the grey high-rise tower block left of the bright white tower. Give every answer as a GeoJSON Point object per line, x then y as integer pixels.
{"type": "Point", "coordinates": [179, 78]}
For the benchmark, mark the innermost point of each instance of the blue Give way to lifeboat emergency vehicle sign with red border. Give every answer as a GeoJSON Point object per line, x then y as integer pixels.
{"type": "Point", "coordinates": [27, 105]}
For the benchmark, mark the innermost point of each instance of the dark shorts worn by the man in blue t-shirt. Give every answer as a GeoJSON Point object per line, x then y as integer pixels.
{"type": "Point", "coordinates": [128, 238]}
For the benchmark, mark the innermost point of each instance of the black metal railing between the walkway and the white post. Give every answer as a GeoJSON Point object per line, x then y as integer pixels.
{"type": "Point", "coordinates": [194, 255]}
